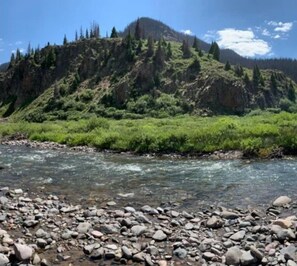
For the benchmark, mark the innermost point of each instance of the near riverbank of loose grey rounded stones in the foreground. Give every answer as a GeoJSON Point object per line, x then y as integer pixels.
{"type": "Point", "coordinates": [43, 230]}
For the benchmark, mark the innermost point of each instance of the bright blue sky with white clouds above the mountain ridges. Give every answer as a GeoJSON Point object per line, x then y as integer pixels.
{"type": "Point", "coordinates": [253, 28]}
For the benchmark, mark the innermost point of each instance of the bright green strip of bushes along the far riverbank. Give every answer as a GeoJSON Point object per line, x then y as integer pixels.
{"type": "Point", "coordinates": [254, 134]}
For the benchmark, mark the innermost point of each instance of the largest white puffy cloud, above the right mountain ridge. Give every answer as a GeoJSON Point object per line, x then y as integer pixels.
{"type": "Point", "coordinates": [242, 42]}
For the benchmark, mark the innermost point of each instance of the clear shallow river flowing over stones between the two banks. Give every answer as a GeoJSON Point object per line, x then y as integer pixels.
{"type": "Point", "coordinates": [91, 177]}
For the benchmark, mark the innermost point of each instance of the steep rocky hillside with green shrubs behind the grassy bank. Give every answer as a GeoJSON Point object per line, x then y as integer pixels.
{"type": "Point", "coordinates": [118, 78]}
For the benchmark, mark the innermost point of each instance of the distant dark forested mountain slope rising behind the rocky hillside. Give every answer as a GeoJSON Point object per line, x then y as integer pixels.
{"type": "Point", "coordinates": [157, 29]}
